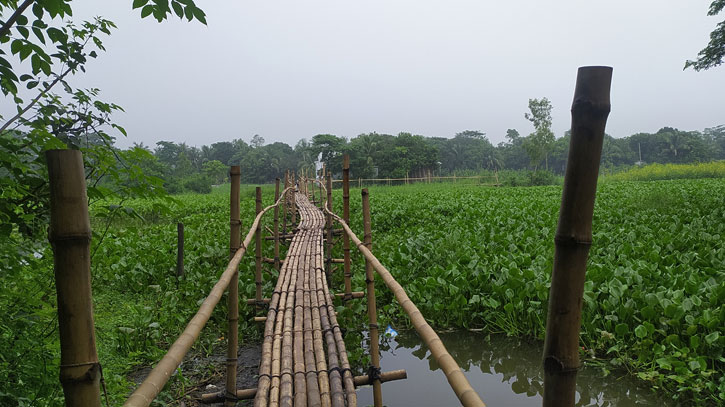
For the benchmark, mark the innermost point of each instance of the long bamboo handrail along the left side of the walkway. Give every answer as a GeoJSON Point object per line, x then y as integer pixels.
{"type": "Point", "coordinates": [155, 381]}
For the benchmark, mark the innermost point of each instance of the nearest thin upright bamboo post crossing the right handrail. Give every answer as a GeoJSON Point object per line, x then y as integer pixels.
{"type": "Point", "coordinates": [372, 308]}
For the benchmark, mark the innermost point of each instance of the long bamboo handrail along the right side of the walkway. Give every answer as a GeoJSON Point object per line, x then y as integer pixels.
{"type": "Point", "coordinates": [457, 380]}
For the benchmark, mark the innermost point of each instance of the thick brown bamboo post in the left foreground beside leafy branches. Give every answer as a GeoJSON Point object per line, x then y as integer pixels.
{"type": "Point", "coordinates": [70, 236]}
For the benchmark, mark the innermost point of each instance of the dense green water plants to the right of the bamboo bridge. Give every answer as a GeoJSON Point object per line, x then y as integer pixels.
{"type": "Point", "coordinates": [481, 258]}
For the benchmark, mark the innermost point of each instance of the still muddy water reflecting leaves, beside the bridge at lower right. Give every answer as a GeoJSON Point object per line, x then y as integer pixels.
{"type": "Point", "coordinates": [504, 371]}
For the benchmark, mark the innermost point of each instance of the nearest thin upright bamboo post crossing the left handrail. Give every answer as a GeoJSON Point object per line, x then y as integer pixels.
{"type": "Point", "coordinates": [233, 289]}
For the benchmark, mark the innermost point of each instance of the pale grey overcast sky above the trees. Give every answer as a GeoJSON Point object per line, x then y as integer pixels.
{"type": "Point", "coordinates": [291, 69]}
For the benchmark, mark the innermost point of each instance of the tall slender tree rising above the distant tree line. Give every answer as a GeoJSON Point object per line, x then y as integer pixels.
{"type": "Point", "coordinates": [538, 143]}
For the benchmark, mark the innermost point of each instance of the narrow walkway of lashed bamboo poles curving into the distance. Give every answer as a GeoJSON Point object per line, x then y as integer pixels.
{"type": "Point", "coordinates": [304, 362]}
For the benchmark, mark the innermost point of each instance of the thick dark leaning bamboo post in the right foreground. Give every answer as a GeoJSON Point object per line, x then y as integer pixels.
{"type": "Point", "coordinates": [574, 234]}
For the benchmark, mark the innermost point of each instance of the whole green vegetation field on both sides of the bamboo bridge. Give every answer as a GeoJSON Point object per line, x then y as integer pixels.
{"type": "Point", "coordinates": [469, 256]}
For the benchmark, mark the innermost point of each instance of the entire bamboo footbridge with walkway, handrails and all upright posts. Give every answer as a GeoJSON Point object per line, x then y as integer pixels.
{"type": "Point", "coordinates": [304, 361]}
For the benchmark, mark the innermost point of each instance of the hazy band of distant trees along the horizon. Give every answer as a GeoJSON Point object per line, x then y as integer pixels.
{"type": "Point", "coordinates": [378, 155]}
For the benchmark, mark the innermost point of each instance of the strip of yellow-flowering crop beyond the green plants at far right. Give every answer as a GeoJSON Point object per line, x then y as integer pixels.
{"type": "Point", "coordinates": [715, 169]}
